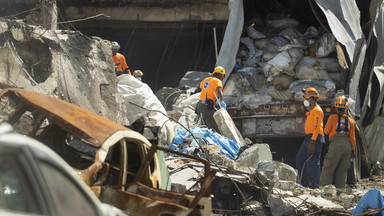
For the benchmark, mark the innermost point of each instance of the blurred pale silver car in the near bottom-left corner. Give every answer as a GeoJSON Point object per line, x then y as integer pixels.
{"type": "Point", "coordinates": [35, 180]}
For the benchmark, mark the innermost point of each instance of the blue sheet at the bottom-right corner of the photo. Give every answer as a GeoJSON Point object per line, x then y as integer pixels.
{"type": "Point", "coordinates": [371, 199]}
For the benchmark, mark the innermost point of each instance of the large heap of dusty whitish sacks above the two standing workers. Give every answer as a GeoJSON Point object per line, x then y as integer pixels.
{"type": "Point", "coordinates": [276, 61]}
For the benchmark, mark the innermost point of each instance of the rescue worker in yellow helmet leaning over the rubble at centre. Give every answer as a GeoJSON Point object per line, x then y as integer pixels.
{"type": "Point", "coordinates": [211, 90]}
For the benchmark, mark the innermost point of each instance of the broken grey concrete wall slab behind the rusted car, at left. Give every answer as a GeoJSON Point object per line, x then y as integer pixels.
{"type": "Point", "coordinates": [67, 64]}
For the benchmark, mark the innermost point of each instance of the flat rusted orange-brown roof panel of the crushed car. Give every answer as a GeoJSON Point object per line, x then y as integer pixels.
{"type": "Point", "coordinates": [84, 124]}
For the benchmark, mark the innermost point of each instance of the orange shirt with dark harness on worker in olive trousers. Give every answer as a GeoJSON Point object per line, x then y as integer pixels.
{"type": "Point", "coordinates": [331, 126]}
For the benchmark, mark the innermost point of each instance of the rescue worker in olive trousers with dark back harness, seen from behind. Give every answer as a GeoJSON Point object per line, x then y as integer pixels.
{"type": "Point", "coordinates": [341, 131]}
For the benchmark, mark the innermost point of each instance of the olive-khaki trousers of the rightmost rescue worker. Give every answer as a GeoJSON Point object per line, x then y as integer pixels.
{"type": "Point", "coordinates": [336, 161]}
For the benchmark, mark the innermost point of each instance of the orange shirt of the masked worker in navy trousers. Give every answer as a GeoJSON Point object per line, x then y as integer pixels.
{"type": "Point", "coordinates": [314, 122]}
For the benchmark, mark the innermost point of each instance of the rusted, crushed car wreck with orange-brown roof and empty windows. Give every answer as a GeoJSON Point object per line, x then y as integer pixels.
{"type": "Point", "coordinates": [121, 166]}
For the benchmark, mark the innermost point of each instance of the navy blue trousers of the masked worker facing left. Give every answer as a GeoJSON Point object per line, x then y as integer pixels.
{"type": "Point", "coordinates": [308, 165]}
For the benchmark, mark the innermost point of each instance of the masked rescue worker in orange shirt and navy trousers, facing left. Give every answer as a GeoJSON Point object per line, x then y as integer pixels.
{"type": "Point", "coordinates": [308, 156]}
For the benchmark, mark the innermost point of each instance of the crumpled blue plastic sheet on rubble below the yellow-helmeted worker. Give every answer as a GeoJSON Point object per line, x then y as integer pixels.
{"type": "Point", "coordinates": [228, 147]}
